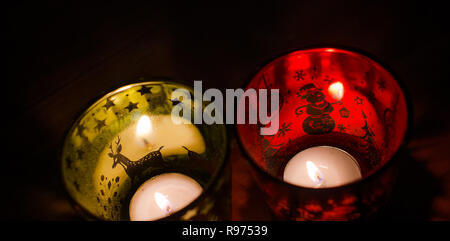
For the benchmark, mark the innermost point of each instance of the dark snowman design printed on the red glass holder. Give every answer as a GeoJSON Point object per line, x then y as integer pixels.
{"type": "Point", "coordinates": [319, 120]}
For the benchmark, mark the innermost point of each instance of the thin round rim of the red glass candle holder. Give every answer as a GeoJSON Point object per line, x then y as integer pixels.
{"type": "Point", "coordinates": [342, 49]}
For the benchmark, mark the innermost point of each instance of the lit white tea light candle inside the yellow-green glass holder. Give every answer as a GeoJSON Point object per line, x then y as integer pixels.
{"type": "Point", "coordinates": [163, 195]}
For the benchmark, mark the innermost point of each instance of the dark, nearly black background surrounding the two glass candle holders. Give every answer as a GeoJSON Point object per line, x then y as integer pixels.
{"type": "Point", "coordinates": [61, 56]}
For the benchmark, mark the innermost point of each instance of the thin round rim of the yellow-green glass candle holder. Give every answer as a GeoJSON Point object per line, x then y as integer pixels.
{"type": "Point", "coordinates": [91, 104]}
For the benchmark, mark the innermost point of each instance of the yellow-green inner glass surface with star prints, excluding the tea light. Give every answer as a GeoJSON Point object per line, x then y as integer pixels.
{"type": "Point", "coordinates": [104, 190]}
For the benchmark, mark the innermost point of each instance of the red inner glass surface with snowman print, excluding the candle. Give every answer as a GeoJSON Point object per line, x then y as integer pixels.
{"type": "Point", "coordinates": [328, 97]}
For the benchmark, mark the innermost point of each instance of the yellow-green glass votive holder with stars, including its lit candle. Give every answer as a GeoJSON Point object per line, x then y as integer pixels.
{"type": "Point", "coordinates": [127, 158]}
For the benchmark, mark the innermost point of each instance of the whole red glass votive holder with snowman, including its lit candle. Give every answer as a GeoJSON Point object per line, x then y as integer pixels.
{"type": "Point", "coordinates": [342, 119]}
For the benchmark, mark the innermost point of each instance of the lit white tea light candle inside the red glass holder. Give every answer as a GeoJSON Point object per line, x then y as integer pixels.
{"type": "Point", "coordinates": [320, 167]}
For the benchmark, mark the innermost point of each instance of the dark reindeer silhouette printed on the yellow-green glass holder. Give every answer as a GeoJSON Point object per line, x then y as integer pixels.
{"type": "Point", "coordinates": [134, 169]}
